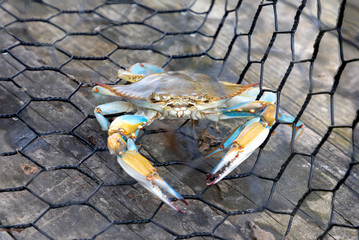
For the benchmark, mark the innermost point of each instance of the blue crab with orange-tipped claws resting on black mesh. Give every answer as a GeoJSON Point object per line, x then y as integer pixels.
{"type": "Point", "coordinates": [156, 94]}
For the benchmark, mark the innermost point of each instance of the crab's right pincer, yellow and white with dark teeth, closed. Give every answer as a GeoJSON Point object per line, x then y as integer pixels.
{"type": "Point", "coordinates": [250, 138]}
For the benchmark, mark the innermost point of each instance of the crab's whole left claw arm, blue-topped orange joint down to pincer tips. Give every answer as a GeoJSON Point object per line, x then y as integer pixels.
{"type": "Point", "coordinates": [122, 132]}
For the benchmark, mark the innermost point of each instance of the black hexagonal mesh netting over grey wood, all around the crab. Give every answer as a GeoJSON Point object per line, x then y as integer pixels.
{"type": "Point", "coordinates": [58, 180]}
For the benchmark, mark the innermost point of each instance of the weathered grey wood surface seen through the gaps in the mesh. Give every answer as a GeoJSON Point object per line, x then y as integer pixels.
{"type": "Point", "coordinates": [132, 201]}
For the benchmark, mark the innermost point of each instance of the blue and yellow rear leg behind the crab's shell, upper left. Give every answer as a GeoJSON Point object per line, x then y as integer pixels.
{"type": "Point", "coordinates": [138, 71]}
